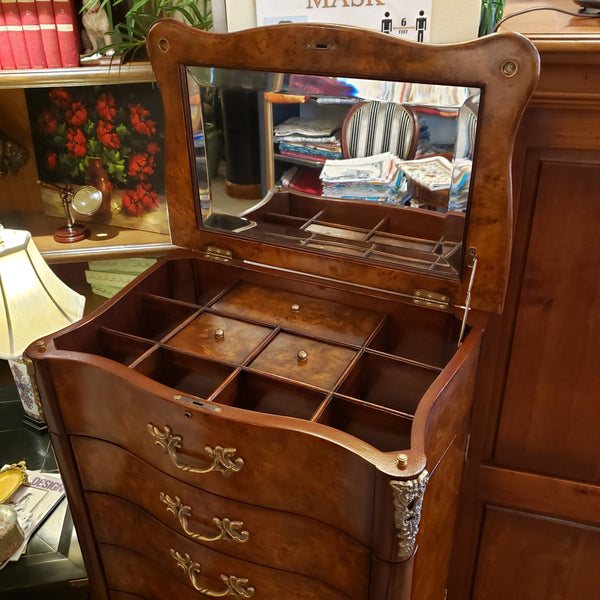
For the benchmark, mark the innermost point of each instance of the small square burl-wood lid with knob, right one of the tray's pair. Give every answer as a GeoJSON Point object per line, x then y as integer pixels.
{"type": "Point", "coordinates": [303, 359]}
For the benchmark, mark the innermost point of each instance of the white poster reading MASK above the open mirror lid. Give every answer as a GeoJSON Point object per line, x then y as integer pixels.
{"type": "Point", "coordinates": [407, 19]}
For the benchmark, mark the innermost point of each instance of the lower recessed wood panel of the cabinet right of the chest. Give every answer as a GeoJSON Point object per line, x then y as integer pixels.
{"type": "Point", "coordinates": [528, 557]}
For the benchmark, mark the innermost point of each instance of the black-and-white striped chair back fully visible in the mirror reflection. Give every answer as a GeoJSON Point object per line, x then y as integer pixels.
{"type": "Point", "coordinates": [372, 127]}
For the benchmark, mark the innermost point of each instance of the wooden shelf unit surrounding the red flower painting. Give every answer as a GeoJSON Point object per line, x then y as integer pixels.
{"type": "Point", "coordinates": [21, 204]}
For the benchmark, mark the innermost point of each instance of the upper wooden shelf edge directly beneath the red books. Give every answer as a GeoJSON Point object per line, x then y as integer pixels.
{"type": "Point", "coordinates": [91, 75]}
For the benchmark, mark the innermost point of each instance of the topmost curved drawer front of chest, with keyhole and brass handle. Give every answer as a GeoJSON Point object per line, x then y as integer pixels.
{"type": "Point", "coordinates": [259, 459]}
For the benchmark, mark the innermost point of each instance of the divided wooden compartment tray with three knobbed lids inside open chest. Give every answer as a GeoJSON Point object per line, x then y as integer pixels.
{"type": "Point", "coordinates": [364, 371]}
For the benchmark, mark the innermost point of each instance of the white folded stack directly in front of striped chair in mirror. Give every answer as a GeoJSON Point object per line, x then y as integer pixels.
{"type": "Point", "coordinates": [375, 178]}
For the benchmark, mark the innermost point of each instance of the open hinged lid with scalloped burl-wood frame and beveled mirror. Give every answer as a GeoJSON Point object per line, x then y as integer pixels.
{"type": "Point", "coordinates": [403, 150]}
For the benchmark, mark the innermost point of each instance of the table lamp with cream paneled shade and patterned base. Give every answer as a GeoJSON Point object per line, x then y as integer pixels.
{"type": "Point", "coordinates": [35, 302]}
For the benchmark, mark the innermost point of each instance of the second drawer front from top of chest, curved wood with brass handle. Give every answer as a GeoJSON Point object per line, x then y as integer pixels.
{"type": "Point", "coordinates": [271, 538]}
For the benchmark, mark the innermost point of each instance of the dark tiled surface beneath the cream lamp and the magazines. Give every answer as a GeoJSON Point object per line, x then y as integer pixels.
{"type": "Point", "coordinates": [52, 567]}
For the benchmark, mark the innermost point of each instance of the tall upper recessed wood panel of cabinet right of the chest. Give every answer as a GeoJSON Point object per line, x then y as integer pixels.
{"type": "Point", "coordinates": [549, 420]}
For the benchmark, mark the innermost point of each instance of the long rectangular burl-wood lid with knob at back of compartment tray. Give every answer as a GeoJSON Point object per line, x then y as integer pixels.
{"type": "Point", "coordinates": [301, 314]}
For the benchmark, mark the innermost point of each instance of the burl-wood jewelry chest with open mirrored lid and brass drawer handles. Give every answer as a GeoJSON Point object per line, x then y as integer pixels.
{"type": "Point", "coordinates": [280, 411]}
